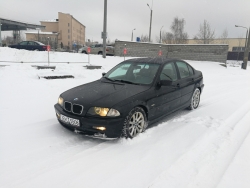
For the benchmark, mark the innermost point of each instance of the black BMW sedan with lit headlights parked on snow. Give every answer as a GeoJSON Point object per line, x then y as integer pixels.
{"type": "Point", "coordinates": [130, 96]}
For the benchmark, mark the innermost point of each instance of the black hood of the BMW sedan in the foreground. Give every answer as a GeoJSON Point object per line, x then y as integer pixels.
{"type": "Point", "coordinates": [102, 94]}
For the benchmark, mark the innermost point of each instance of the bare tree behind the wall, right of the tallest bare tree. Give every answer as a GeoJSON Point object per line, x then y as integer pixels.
{"type": "Point", "coordinates": [205, 34]}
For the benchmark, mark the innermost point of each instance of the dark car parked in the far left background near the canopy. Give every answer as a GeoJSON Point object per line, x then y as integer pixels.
{"type": "Point", "coordinates": [30, 45]}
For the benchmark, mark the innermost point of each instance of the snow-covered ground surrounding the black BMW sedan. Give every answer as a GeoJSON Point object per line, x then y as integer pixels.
{"type": "Point", "coordinates": [205, 148]}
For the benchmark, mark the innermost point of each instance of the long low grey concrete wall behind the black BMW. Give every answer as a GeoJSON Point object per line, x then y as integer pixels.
{"type": "Point", "coordinates": [199, 52]}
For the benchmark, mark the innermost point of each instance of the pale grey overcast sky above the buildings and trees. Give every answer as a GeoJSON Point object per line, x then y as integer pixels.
{"type": "Point", "coordinates": [125, 15]}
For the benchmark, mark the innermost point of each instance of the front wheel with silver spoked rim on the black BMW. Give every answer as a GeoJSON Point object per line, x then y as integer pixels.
{"type": "Point", "coordinates": [135, 123]}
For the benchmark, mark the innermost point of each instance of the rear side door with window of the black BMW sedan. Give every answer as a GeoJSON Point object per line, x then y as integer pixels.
{"type": "Point", "coordinates": [186, 81]}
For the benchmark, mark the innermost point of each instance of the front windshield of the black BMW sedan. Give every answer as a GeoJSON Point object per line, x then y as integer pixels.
{"type": "Point", "coordinates": [133, 72]}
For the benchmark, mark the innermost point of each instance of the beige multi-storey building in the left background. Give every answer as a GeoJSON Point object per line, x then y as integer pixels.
{"type": "Point", "coordinates": [66, 32]}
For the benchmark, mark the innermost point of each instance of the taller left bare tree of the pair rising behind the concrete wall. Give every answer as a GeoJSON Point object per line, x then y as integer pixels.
{"type": "Point", "coordinates": [177, 28]}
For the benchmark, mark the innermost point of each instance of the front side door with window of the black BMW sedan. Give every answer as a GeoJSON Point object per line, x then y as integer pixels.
{"type": "Point", "coordinates": [168, 98]}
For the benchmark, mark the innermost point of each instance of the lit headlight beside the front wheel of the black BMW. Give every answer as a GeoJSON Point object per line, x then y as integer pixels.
{"type": "Point", "coordinates": [103, 112]}
